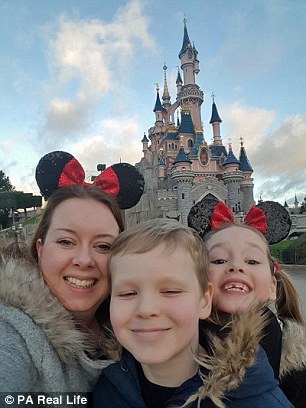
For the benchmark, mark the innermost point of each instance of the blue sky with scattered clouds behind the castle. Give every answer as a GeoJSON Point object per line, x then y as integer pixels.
{"type": "Point", "coordinates": [80, 75]}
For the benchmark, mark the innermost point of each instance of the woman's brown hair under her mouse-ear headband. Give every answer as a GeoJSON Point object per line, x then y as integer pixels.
{"type": "Point", "coordinates": [66, 193]}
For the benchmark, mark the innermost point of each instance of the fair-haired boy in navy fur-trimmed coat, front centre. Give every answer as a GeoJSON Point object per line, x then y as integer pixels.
{"type": "Point", "coordinates": [160, 291]}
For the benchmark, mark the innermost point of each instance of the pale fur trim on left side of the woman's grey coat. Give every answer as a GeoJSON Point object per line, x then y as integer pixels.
{"type": "Point", "coordinates": [22, 287]}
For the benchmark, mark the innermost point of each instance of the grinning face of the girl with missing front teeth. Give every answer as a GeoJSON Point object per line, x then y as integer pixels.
{"type": "Point", "coordinates": [239, 269]}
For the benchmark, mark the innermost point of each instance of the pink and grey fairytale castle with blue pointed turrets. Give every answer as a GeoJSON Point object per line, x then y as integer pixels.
{"type": "Point", "coordinates": [179, 166]}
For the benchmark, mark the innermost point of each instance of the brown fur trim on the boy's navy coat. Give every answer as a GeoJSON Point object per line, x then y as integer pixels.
{"type": "Point", "coordinates": [231, 356]}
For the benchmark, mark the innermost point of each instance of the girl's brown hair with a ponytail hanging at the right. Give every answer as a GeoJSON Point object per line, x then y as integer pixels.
{"type": "Point", "coordinates": [287, 302]}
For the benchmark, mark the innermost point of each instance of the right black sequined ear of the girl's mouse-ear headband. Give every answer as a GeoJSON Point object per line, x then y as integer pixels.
{"type": "Point", "coordinates": [278, 221]}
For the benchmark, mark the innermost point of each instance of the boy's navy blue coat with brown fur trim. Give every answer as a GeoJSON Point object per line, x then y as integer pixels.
{"type": "Point", "coordinates": [239, 376]}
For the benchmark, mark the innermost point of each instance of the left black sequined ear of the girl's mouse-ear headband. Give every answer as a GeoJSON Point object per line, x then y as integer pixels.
{"type": "Point", "coordinates": [200, 215]}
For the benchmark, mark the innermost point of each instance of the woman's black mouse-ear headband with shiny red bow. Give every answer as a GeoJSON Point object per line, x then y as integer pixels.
{"type": "Point", "coordinates": [60, 169]}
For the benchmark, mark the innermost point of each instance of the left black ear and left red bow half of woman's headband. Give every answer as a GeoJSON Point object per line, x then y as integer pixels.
{"type": "Point", "coordinates": [57, 169]}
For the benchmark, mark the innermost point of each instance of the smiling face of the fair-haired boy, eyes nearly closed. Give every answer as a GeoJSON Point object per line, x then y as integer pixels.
{"type": "Point", "coordinates": [156, 305]}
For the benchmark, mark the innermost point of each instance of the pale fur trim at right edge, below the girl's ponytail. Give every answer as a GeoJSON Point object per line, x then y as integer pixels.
{"type": "Point", "coordinates": [293, 347]}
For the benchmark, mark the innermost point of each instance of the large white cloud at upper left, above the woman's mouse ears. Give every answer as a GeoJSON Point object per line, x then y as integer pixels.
{"type": "Point", "coordinates": [89, 59]}
